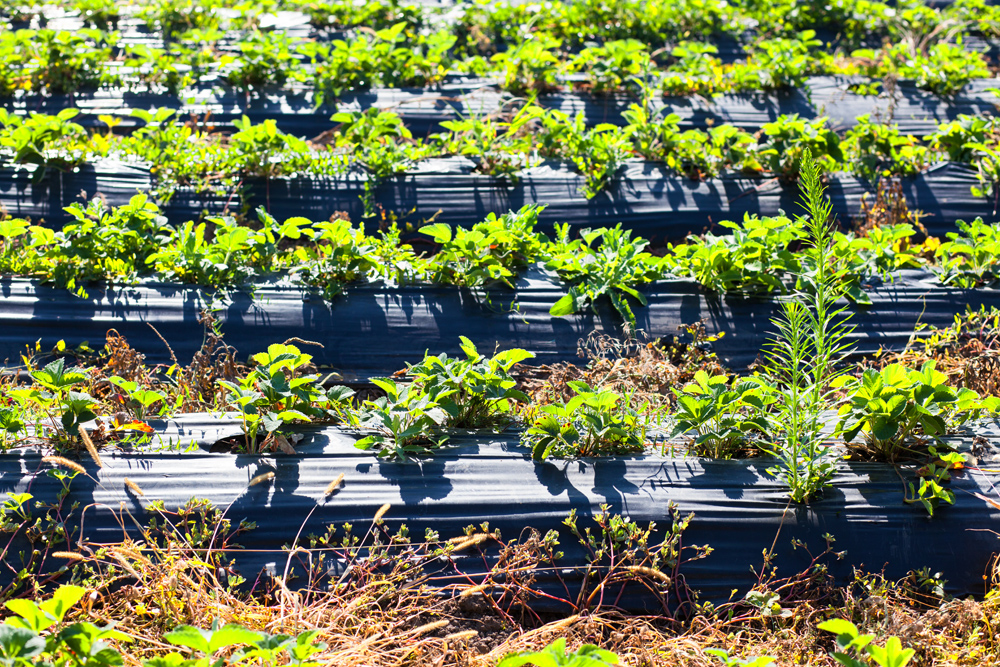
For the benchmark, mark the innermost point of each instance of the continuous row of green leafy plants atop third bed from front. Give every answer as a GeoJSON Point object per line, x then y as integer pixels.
{"type": "Point", "coordinates": [376, 145]}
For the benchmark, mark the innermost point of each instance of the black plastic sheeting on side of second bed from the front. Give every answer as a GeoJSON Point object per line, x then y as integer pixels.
{"type": "Point", "coordinates": [374, 331]}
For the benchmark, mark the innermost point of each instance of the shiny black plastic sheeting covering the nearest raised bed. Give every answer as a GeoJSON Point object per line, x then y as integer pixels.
{"type": "Point", "coordinates": [739, 509]}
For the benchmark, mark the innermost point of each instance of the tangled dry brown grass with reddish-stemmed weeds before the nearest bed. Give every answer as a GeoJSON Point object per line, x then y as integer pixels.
{"type": "Point", "coordinates": [395, 611]}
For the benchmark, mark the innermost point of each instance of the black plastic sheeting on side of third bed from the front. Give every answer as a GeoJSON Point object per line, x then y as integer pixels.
{"type": "Point", "coordinates": [646, 197]}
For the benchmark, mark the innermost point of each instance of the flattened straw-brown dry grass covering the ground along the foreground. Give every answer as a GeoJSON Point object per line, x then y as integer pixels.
{"type": "Point", "coordinates": [385, 623]}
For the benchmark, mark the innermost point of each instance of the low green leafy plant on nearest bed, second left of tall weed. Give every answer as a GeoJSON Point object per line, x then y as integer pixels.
{"type": "Point", "coordinates": [593, 423]}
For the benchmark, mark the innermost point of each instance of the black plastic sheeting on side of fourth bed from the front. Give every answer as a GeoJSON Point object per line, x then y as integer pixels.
{"type": "Point", "coordinates": [913, 110]}
